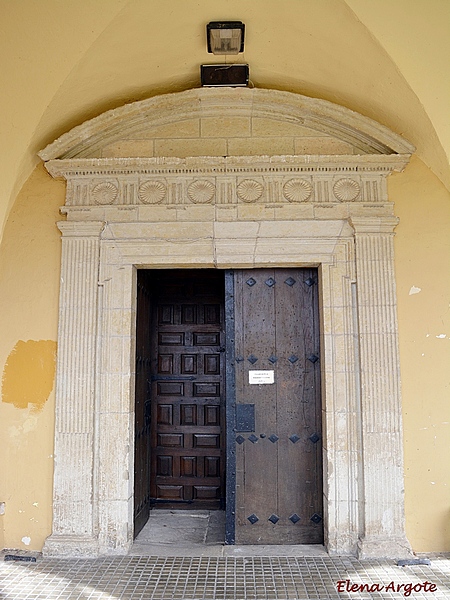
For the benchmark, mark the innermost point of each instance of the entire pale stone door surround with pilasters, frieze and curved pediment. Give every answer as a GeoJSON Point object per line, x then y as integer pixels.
{"type": "Point", "coordinates": [144, 192]}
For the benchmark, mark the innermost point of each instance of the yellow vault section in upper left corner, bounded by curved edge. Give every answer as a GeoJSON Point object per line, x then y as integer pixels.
{"type": "Point", "coordinates": [40, 43]}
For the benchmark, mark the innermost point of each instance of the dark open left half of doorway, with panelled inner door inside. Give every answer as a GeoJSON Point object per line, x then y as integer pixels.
{"type": "Point", "coordinates": [180, 392]}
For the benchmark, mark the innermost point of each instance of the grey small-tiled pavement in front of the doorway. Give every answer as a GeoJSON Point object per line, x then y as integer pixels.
{"type": "Point", "coordinates": [222, 578]}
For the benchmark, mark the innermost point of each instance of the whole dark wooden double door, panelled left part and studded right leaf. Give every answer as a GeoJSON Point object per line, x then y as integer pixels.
{"type": "Point", "coordinates": [255, 446]}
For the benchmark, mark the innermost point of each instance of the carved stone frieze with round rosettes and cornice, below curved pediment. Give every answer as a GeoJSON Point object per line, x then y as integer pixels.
{"type": "Point", "coordinates": [234, 180]}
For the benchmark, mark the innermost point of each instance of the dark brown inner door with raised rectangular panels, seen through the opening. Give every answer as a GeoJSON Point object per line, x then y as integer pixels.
{"type": "Point", "coordinates": [188, 393]}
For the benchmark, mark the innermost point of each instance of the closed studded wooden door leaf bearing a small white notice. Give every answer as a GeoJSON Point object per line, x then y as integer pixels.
{"type": "Point", "coordinates": [277, 356]}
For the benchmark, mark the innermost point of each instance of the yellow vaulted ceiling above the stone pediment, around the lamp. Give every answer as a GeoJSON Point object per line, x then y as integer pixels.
{"type": "Point", "coordinates": [66, 62]}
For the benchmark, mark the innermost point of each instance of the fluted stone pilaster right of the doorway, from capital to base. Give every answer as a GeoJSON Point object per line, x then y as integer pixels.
{"type": "Point", "coordinates": [381, 424]}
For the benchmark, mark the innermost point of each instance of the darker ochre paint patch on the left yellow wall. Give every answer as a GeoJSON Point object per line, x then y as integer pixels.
{"type": "Point", "coordinates": [29, 373]}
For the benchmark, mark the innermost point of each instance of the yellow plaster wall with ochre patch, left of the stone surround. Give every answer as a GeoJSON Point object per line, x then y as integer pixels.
{"type": "Point", "coordinates": [29, 283]}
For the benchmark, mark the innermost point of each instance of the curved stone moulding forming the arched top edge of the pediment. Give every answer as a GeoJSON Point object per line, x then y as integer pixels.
{"type": "Point", "coordinates": [320, 115]}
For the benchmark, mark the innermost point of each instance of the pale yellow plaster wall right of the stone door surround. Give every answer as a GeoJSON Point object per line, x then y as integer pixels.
{"type": "Point", "coordinates": [422, 247]}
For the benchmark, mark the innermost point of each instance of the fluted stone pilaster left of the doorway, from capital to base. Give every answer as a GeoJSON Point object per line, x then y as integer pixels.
{"type": "Point", "coordinates": [74, 522]}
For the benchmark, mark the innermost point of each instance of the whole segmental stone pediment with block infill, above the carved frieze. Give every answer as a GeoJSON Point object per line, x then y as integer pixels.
{"type": "Point", "coordinates": [226, 122]}
